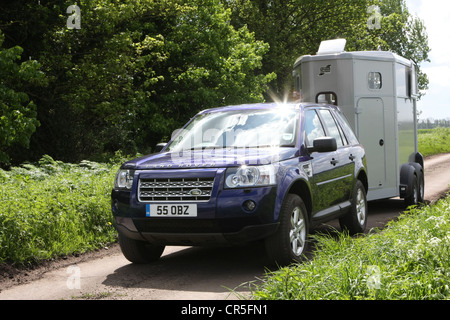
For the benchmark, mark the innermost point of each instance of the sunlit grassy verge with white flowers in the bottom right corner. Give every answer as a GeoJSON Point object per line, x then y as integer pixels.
{"type": "Point", "coordinates": [409, 260]}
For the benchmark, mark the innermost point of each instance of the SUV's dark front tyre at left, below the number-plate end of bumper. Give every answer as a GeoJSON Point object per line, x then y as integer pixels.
{"type": "Point", "coordinates": [139, 251]}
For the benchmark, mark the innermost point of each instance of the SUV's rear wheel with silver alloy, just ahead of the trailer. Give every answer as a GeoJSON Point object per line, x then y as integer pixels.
{"type": "Point", "coordinates": [355, 220]}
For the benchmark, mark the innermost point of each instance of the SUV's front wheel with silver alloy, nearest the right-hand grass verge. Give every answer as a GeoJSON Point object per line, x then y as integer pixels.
{"type": "Point", "coordinates": [289, 243]}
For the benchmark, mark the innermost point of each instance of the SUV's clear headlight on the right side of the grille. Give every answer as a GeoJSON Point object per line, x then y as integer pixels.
{"type": "Point", "coordinates": [250, 176]}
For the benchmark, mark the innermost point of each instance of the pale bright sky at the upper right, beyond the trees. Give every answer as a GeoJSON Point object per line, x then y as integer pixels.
{"type": "Point", "coordinates": [435, 14]}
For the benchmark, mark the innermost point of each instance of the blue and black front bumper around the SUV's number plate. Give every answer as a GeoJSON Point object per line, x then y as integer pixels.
{"type": "Point", "coordinates": [222, 220]}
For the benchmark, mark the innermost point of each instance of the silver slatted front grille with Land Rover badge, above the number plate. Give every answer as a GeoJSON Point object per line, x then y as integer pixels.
{"type": "Point", "coordinates": [175, 189]}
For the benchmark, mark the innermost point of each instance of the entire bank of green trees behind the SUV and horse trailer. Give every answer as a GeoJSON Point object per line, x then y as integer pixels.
{"type": "Point", "coordinates": [138, 69]}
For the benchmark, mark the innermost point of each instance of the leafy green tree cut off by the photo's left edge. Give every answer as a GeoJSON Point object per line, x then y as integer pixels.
{"type": "Point", "coordinates": [17, 112]}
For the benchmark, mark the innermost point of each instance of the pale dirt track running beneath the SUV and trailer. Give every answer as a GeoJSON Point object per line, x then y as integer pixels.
{"type": "Point", "coordinates": [183, 272]}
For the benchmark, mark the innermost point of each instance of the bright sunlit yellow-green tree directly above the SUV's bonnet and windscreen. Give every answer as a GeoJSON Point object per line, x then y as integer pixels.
{"type": "Point", "coordinates": [210, 63]}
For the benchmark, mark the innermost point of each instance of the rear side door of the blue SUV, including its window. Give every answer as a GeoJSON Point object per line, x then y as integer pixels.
{"type": "Point", "coordinates": [342, 161]}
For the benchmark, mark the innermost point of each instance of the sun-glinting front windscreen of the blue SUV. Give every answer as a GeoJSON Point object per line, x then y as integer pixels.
{"type": "Point", "coordinates": [249, 128]}
